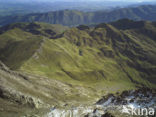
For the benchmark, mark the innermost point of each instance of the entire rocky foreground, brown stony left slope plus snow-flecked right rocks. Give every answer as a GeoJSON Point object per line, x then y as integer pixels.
{"type": "Point", "coordinates": [19, 98]}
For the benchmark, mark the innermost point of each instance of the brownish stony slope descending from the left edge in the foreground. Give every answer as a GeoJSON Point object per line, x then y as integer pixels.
{"type": "Point", "coordinates": [27, 95]}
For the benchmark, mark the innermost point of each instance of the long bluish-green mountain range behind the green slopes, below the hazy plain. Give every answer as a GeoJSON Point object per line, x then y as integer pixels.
{"type": "Point", "coordinates": [73, 17]}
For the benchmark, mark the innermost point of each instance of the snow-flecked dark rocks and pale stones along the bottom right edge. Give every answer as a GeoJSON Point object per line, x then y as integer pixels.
{"type": "Point", "coordinates": [118, 105]}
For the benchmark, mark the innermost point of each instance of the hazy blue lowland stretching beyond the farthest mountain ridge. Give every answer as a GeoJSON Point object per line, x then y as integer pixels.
{"type": "Point", "coordinates": [10, 7]}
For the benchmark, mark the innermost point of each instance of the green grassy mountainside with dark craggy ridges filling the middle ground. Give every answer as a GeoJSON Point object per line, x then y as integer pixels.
{"type": "Point", "coordinates": [100, 57]}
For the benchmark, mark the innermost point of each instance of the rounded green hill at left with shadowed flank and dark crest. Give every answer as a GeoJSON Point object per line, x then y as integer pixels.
{"type": "Point", "coordinates": [18, 36]}
